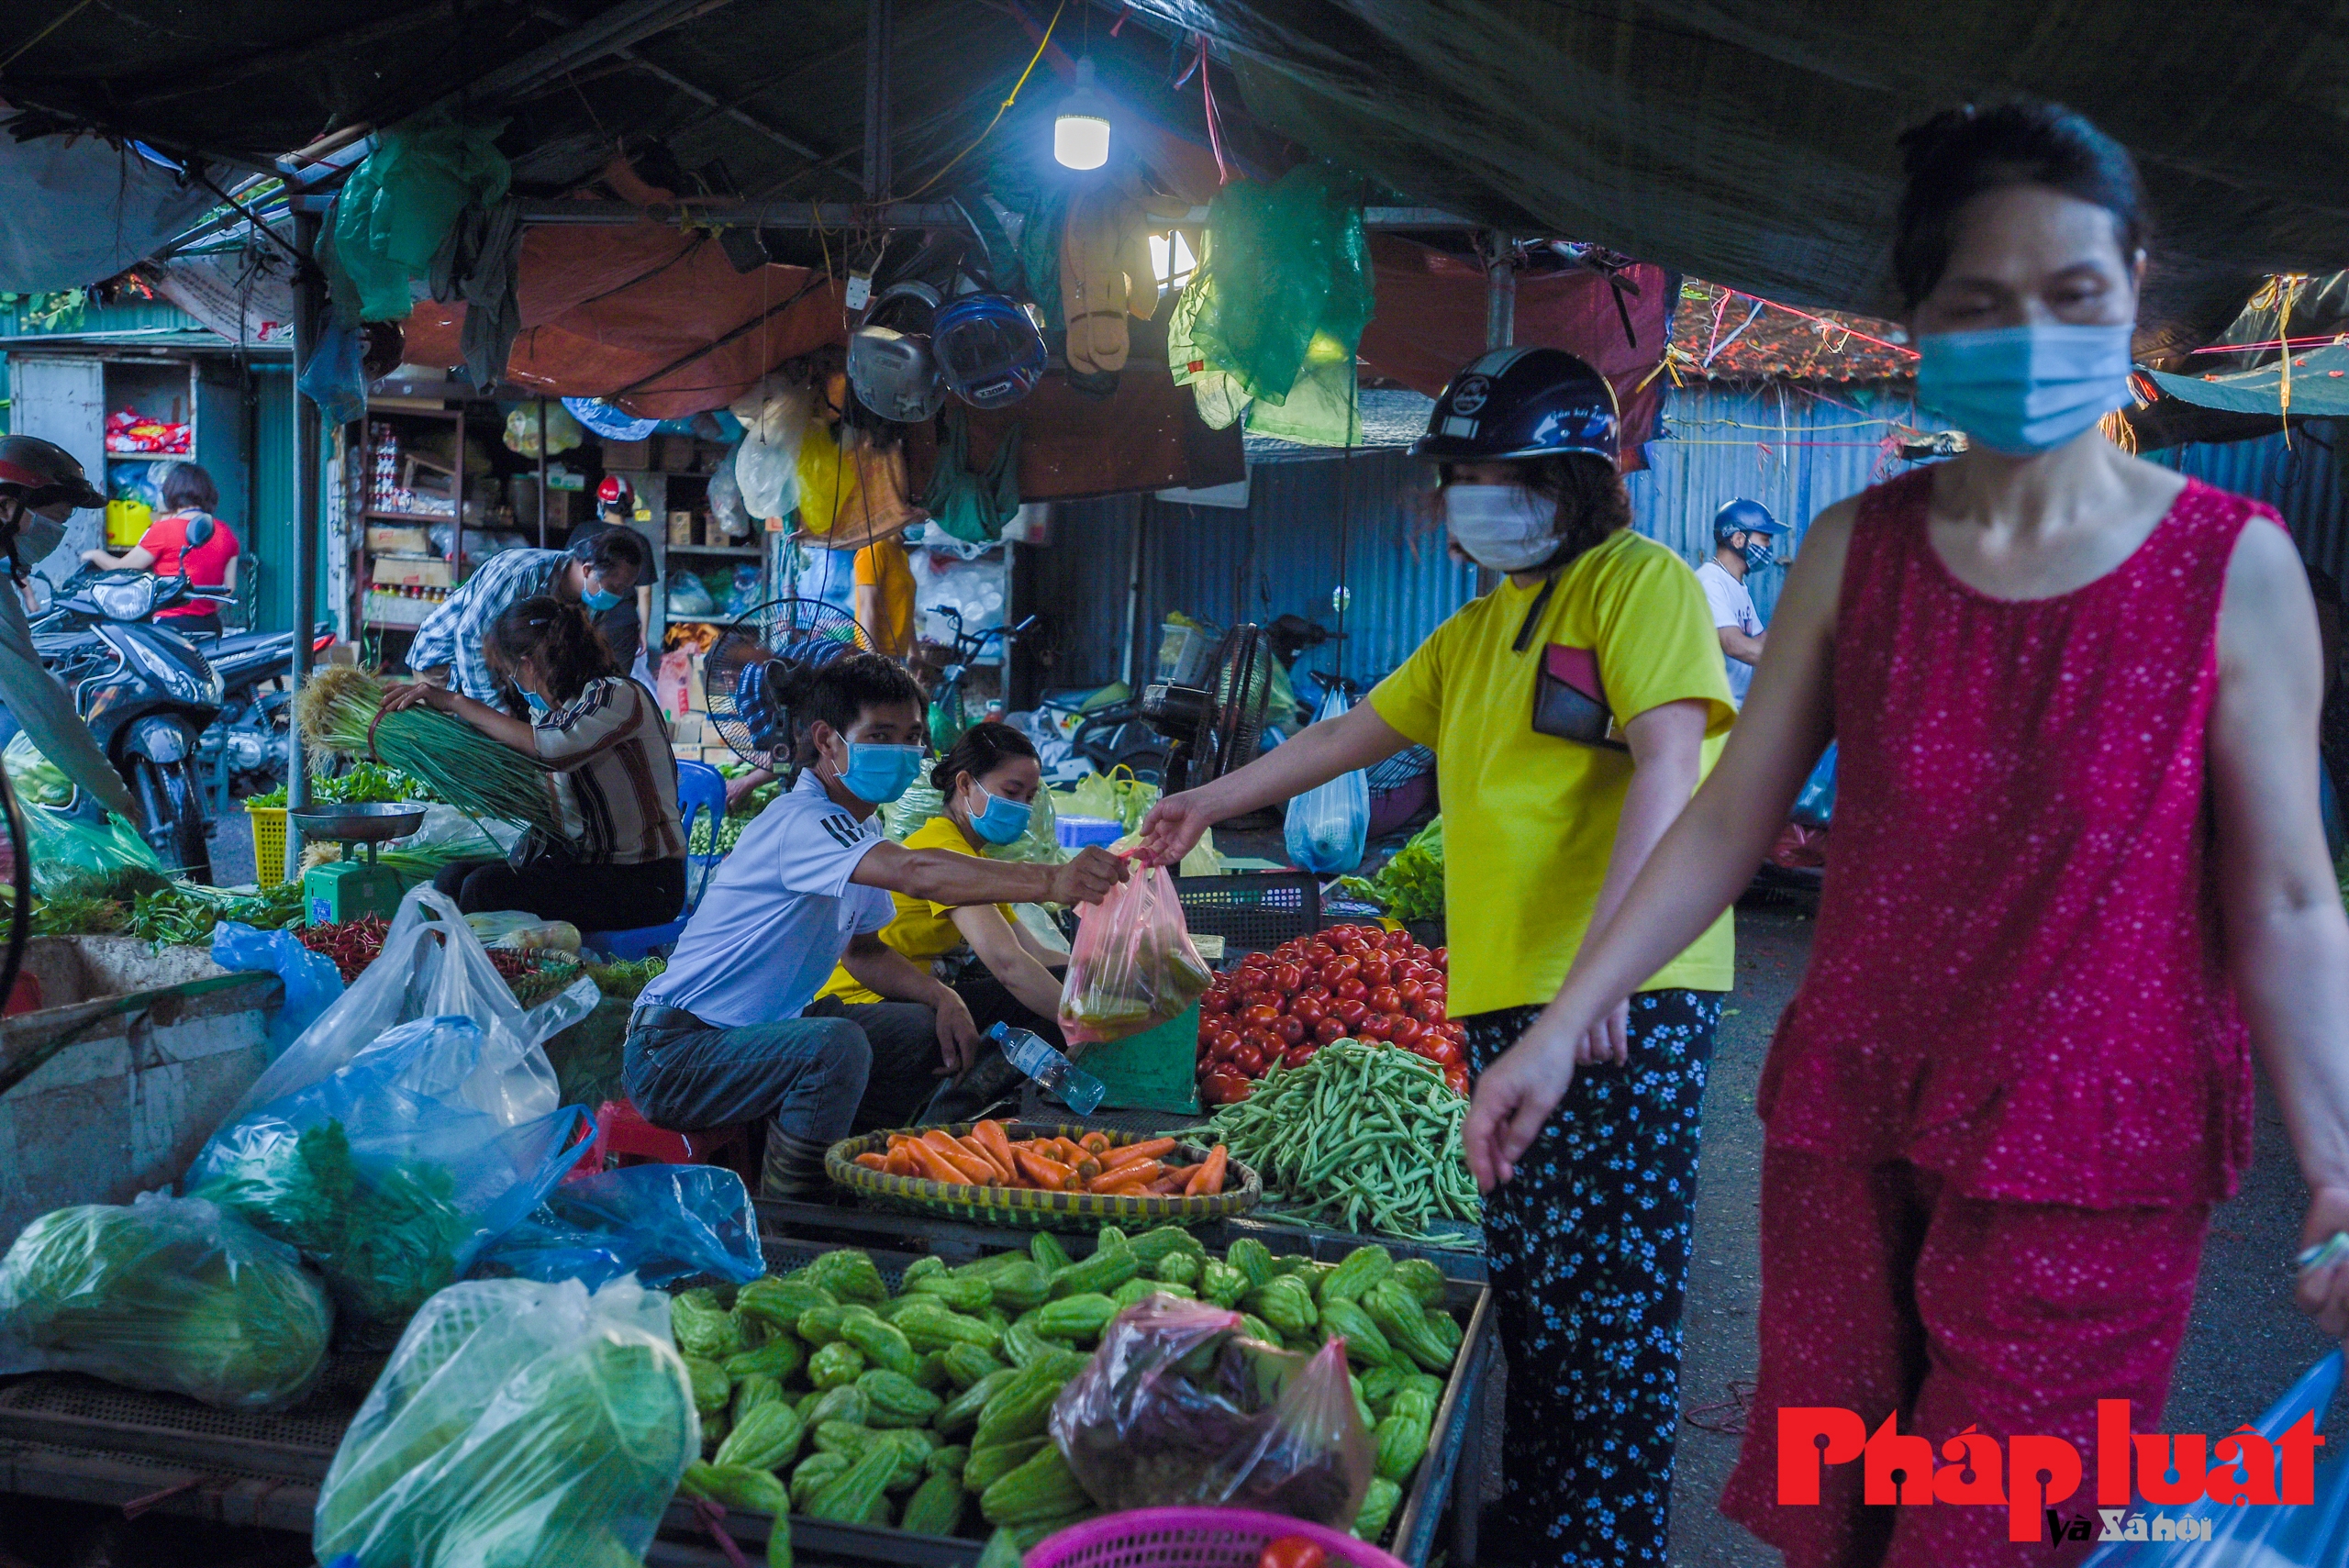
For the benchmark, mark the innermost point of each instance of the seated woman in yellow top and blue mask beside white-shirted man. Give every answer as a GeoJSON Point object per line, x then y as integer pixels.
{"type": "Point", "coordinates": [990, 783]}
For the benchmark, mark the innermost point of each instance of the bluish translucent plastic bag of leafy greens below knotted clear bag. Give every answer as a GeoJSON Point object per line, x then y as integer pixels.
{"type": "Point", "coordinates": [384, 1175]}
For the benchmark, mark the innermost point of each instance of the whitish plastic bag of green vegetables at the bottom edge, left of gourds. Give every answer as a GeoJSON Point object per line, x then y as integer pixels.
{"type": "Point", "coordinates": [516, 1424]}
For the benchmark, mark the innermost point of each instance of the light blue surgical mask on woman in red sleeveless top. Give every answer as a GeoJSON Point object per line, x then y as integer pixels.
{"type": "Point", "coordinates": [2024, 391]}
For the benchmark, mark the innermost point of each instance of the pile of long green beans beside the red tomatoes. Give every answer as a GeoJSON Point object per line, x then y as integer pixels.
{"type": "Point", "coordinates": [1361, 1135]}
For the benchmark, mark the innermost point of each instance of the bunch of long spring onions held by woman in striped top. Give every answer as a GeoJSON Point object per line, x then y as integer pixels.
{"type": "Point", "coordinates": [339, 712]}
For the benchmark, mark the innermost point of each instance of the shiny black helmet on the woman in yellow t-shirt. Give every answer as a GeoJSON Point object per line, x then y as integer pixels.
{"type": "Point", "coordinates": [1523, 403]}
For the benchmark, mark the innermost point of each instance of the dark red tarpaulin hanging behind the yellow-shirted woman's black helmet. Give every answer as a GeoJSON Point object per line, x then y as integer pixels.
{"type": "Point", "coordinates": [1432, 323]}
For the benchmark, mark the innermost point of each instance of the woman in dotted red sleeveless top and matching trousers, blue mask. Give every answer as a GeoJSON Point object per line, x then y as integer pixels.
{"type": "Point", "coordinates": [2078, 874]}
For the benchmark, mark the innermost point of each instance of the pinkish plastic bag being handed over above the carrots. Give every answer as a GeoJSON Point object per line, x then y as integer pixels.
{"type": "Point", "coordinates": [1133, 964]}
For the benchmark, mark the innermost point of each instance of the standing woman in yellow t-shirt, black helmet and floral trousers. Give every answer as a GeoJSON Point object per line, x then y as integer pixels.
{"type": "Point", "coordinates": [1573, 715]}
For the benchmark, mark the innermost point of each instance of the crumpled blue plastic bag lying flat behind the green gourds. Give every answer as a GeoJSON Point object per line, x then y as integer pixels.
{"type": "Point", "coordinates": [657, 1222]}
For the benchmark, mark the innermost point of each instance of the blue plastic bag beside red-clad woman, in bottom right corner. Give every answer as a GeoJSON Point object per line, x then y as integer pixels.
{"type": "Point", "coordinates": [2259, 1536]}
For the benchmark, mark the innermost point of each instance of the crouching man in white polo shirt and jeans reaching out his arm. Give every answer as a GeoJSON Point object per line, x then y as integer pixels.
{"type": "Point", "coordinates": [732, 1032]}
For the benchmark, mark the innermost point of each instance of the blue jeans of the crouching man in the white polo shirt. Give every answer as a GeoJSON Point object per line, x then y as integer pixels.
{"type": "Point", "coordinates": [821, 1076]}
